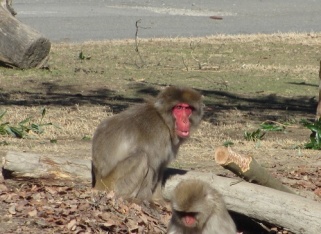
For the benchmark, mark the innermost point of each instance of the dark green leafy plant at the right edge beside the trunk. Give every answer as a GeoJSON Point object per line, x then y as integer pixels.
{"type": "Point", "coordinates": [315, 136]}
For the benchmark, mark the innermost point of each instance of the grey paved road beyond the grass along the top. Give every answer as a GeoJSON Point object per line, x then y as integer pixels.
{"type": "Point", "coordinates": [82, 20]}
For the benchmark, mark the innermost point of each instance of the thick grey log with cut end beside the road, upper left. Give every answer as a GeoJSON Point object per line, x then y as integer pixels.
{"type": "Point", "coordinates": [20, 45]}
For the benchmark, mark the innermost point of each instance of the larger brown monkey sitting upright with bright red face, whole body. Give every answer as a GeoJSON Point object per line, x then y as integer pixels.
{"type": "Point", "coordinates": [131, 149]}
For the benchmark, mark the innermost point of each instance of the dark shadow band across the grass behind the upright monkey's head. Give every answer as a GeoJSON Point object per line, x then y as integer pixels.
{"type": "Point", "coordinates": [50, 93]}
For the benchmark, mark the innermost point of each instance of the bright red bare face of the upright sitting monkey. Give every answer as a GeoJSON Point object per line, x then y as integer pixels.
{"type": "Point", "coordinates": [181, 113]}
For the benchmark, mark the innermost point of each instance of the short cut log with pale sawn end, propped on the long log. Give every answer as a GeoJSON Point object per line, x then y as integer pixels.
{"type": "Point", "coordinates": [247, 168]}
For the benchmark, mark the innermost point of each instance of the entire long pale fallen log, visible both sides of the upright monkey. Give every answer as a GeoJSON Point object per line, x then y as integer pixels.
{"type": "Point", "coordinates": [296, 213]}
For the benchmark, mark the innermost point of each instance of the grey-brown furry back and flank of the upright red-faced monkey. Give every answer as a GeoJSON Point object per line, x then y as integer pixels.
{"type": "Point", "coordinates": [137, 129]}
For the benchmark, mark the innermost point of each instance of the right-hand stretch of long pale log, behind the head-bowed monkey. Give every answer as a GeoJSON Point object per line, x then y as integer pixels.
{"type": "Point", "coordinates": [297, 214]}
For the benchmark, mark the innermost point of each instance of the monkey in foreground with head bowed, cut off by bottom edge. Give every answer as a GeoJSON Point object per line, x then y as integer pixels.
{"type": "Point", "coordinates": [199, 209]}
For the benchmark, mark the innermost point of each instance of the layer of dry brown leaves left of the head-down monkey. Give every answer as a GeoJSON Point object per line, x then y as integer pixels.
{"type": "Point", "coordinates": [62, 208]}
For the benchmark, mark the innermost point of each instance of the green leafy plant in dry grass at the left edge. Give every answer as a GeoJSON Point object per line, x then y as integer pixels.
{"type": "Point", "coordinates": [24, 127]}
